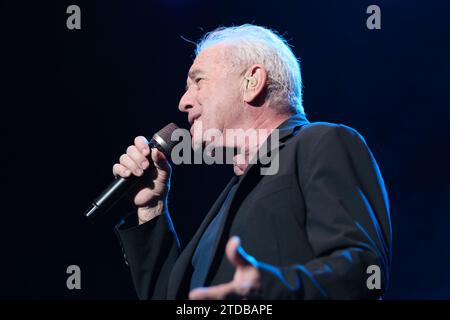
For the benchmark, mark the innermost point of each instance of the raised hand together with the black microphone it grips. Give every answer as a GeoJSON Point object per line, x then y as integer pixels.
{"type": "Point", "coordinates": [143, 170]}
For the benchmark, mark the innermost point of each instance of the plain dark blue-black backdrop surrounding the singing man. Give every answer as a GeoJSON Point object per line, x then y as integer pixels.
{"type": "Point", "coordinates": [72, 101]}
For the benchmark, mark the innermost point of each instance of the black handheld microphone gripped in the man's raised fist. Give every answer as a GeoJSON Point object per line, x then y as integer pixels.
{"type": "Point", "coordinates": [120, 186]}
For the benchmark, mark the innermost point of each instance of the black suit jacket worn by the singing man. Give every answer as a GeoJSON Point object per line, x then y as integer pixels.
{"type": "Point", "coordinates": [313, 229]}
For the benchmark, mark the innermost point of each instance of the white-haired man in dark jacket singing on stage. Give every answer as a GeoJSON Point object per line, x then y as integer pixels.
{"type": "Point", "coordinates": [310, 231]}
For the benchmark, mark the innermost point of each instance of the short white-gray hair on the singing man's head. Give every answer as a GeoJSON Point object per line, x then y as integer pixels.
{"type": "Point", "coordinates": [254, 44]}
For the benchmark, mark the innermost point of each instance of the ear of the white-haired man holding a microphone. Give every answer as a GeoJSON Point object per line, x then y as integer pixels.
{"type": "Point", "coordinates": [255, 81]}
